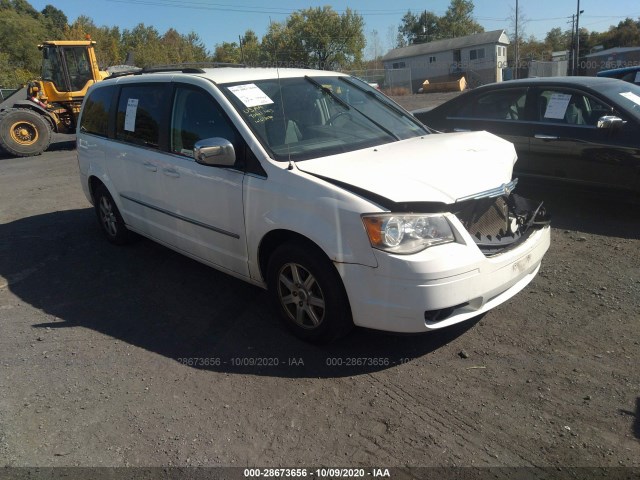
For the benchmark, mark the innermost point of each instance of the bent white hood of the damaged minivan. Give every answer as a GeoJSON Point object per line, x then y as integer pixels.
{"type": "Point", "coordinates": [432, 168]}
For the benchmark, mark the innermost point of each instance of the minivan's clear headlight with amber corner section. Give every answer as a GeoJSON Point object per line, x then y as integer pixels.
{"type": "Point", "coordinates": [404, 234]}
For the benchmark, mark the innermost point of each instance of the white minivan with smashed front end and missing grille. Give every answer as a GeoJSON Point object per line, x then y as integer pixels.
{"type": "Point", "coordinates": [316, 186]}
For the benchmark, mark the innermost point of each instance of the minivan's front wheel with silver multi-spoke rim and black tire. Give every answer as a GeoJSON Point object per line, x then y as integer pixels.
{"type": "Point", "coordinates": [308, 293]}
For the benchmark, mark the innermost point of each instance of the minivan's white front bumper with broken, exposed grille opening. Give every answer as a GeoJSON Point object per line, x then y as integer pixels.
{"type": "Point", "coordinates": [502, 241]}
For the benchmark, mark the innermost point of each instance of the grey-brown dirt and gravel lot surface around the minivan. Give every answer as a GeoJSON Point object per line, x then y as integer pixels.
{"type": "Point", "coordinates": [138, 356]}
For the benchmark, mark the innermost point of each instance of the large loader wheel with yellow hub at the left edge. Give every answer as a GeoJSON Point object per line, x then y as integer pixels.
{"type": "Point", "coordinates": [24, 133]}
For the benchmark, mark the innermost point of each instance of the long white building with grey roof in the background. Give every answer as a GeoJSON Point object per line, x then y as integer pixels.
{"type": "Point", "coordinates": [480, 58]}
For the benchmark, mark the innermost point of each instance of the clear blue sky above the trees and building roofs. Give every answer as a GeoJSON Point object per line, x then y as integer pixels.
{"type": "Point", "coordinates": [217, 21]}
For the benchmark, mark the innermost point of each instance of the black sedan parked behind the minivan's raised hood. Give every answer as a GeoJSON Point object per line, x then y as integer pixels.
{"type": "Point", "coordinates": [578, 129]}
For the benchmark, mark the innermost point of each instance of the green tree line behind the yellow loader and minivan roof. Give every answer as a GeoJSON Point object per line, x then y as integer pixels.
{"type": "Point", "coordinates": [313, 37]}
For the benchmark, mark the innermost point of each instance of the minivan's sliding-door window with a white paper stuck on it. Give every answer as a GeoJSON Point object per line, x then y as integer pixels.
{"type": "Point", "coordinates": [140, 113]}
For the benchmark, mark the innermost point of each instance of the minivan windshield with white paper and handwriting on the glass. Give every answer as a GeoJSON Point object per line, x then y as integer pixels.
{"type": "Point", "coordinates": [308, 117]}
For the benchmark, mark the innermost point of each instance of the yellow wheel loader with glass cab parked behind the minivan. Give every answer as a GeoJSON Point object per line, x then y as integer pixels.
{"type": "Point", "coordinates": [29, 116]}
